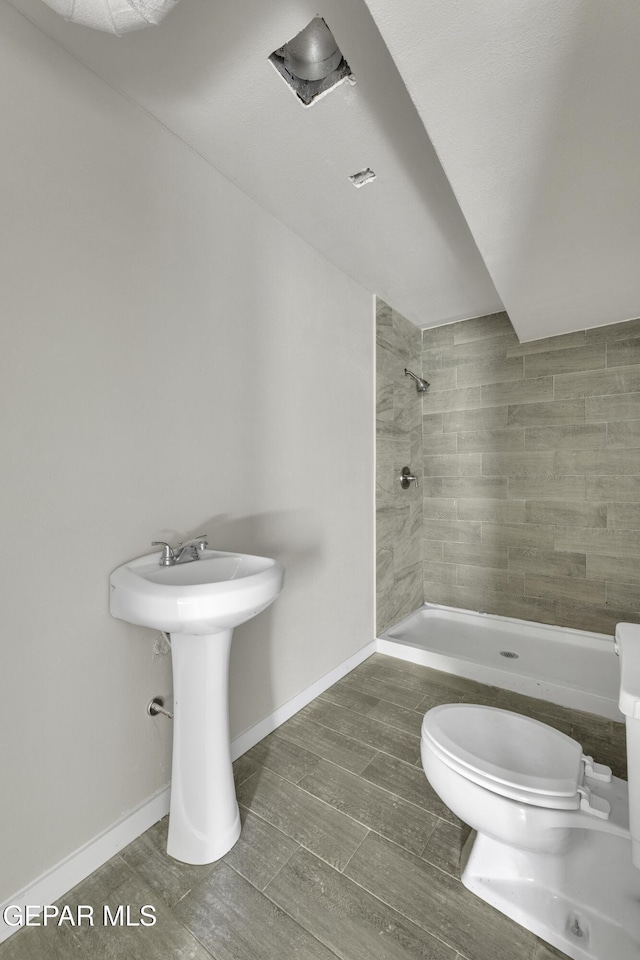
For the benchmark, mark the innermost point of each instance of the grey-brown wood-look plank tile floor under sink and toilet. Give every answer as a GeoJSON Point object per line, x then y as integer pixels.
{"type": "Point", "coordinates": [345, 849]}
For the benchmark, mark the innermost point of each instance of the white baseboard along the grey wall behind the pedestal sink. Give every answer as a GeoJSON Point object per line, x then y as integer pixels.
{"type": "Point", "coordinates": [56, 882]}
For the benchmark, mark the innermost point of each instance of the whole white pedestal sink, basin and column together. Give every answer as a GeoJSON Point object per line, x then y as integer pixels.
{"type": "Point", "coordinates": [198, 603]}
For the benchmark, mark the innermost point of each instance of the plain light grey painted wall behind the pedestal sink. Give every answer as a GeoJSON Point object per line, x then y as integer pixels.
{"type": "Point", "coordinates": [173, 360]}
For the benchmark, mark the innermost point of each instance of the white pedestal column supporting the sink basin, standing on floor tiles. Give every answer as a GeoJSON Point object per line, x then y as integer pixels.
{"type": "Point", "coordinates": [204, 821]}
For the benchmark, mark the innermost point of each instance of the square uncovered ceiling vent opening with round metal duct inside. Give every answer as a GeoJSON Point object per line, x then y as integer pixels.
{"type": "Point", "coordinates": [312, 63]}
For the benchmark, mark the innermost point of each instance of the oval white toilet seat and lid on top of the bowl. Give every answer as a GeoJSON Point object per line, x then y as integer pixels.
{"type": "Point", "coordinates": [507, 753]}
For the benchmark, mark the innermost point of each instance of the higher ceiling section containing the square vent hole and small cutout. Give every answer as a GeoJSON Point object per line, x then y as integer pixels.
{"type": "Point", "coordinates": [204, 73]}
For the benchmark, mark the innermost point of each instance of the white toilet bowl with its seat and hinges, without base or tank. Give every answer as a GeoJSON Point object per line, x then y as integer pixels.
{"type": "Point", "coordinates": [513, 778]}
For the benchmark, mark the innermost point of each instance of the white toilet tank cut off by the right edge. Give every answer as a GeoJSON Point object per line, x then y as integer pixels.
{"type": "Point", "coordinates": [628, 649]}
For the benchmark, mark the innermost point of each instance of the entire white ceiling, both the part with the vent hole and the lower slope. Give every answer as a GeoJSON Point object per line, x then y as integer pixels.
{"type": "Point", "coordinates": [532, 109]}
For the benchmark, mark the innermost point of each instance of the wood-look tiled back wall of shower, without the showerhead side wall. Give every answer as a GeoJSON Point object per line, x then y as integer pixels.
{"type": "Point", "coordinates": [532, 472]}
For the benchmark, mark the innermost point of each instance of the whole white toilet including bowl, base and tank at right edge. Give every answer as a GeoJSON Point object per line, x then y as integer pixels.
{"type": "Point", "coordinates": [556, 841]}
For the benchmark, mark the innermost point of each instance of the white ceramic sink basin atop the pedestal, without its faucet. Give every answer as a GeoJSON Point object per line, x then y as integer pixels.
{"type": "Point", "coordinates": [215, 593]}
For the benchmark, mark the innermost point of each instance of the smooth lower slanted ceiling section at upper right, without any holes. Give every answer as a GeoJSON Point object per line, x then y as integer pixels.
{"type": "Point", "coordinates": [532, 107]}
